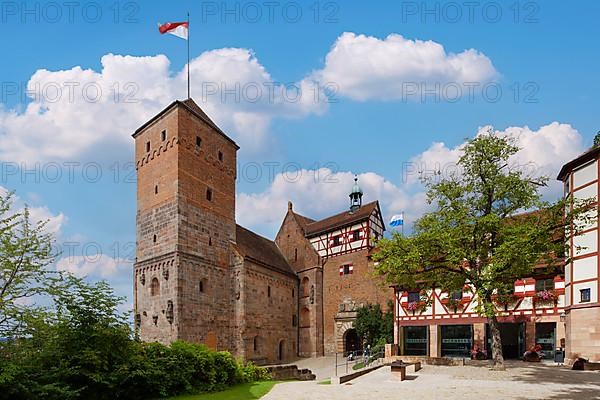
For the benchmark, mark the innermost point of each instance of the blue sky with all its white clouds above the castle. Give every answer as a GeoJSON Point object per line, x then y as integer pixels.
{"type": "Point", "coordinates": [548, 52]}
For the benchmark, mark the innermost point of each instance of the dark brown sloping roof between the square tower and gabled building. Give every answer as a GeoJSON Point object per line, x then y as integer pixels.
{"type": "Point", "coordinates": [262, 251]}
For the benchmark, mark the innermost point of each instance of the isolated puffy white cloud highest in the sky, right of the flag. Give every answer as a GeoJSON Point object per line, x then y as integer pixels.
{"type": "Point", "coordinates": [366, 67]}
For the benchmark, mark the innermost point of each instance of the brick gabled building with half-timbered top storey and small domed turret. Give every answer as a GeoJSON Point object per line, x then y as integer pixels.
{"type": "Point", "coordinates": [335, 271]}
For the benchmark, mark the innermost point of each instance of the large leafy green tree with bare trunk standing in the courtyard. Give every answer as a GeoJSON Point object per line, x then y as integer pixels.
{"type": "Point", "coordinates": [478, 232]}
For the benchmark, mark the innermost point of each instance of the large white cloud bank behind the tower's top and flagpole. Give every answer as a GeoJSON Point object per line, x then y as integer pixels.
{"type": "Point", "coordinates": [78, 110]}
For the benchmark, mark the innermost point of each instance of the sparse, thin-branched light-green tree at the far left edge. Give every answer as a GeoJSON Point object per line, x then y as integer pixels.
{"type": "Point", "coordinates": [25, 254]}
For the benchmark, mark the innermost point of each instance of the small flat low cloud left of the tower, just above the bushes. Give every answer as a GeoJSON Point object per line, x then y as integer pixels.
{"type": "Point", "coordinates": [95, 266]}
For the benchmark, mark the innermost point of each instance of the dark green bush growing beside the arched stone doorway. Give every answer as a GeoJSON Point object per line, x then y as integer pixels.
{"type": "Point", "coordinates": [374, 326]}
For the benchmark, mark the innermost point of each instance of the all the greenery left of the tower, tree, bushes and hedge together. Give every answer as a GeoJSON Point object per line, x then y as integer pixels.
{"type": "Point", "coordinates": [80, 347]}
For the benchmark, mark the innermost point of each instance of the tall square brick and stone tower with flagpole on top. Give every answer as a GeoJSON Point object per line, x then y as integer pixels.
{"type": "Point", "coordinates": [186, 171]}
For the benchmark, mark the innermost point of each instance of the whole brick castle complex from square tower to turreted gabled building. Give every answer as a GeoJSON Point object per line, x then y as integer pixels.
{"type": "Point", "coordinates": [201, 277]}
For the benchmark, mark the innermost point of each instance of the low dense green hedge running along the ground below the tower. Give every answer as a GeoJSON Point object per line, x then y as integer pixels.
{"type": "Point", "coordinates": [136, 371]}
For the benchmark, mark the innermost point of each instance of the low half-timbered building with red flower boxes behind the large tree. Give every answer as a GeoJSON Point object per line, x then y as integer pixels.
{"type": "Point", "coordinates": [435, 323]}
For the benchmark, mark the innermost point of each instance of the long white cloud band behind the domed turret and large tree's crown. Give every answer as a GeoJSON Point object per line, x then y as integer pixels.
{"type": "Point", "coordinates": [543, 152]}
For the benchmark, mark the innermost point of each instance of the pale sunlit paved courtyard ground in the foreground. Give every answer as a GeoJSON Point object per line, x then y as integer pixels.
{"type": "Point", "coordinates": [519, 381]}
